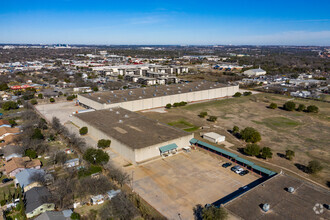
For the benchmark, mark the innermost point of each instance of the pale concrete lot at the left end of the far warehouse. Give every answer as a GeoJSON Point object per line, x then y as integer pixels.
{"type": "Point", "coordinates": [61, 110]}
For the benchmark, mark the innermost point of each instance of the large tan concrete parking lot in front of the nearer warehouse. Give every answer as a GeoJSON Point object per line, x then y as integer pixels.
{"type": "Point", "coordinates": [176, 184]}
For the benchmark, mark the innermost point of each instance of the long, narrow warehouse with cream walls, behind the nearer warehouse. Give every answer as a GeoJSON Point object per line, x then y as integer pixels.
{"type": "Point", "coordinates": [154, 97]}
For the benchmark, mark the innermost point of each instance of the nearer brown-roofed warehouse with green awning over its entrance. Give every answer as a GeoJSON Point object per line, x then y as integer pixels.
{"type": "Point", "coordinates": [132, 135]}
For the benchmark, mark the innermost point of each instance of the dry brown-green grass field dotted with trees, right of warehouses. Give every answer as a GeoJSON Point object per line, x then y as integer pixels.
{"type": "Point", "coordinates": [305, 133]}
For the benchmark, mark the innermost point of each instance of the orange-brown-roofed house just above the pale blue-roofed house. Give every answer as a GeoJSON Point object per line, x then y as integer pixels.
{"type": "Point", "coordinates": [17, 164]}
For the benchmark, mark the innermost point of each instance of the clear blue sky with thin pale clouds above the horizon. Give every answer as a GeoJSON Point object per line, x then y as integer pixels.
{"type": "Point", "coordinates": [290, 22]}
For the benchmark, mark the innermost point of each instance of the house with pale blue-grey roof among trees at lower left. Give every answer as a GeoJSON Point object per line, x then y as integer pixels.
{"type": "Point", "coordinates": [24, 178]}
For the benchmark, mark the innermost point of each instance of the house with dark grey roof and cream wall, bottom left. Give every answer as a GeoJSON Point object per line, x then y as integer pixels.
{"type": "Point", "coordinates": [37, 201]}
